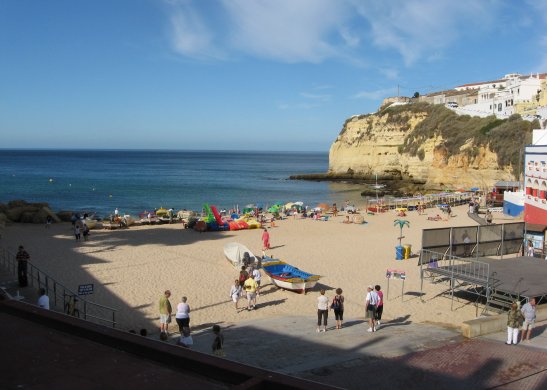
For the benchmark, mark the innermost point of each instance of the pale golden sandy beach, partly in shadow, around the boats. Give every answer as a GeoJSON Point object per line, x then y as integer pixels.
{"type": "Point", "coordinates": [131, 268]}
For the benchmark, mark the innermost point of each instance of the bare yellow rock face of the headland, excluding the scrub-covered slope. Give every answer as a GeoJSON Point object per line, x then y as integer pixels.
{"type": "Point", "coordinates": [394, 144]}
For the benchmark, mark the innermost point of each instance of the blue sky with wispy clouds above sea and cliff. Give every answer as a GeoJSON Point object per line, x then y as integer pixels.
{"type": "Point", "coordinates": [241, 74]}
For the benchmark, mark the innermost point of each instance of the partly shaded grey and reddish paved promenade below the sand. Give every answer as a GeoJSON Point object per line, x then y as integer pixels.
{"type": "Point", "coordinates": [400, 354]}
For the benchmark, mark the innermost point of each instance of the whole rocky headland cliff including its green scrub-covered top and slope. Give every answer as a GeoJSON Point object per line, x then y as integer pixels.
{"type": "Point", "coordinates": [430, 145]}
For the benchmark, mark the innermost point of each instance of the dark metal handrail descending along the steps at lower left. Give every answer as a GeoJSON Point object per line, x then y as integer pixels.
{"type": "Point", "coordinates": [38, 278]}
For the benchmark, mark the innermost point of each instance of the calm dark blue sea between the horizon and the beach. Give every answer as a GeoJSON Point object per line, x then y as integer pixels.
{"type": "Point", "coordinates": [134, 181]}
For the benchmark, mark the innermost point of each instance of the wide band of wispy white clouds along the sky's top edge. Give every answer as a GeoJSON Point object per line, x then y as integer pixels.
{"type": "Point", "coordinates": [316, 30]}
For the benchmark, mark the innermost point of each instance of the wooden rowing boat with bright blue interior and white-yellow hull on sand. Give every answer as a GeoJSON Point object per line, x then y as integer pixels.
{"type": "Point", "coordinates": [288, 277]}
